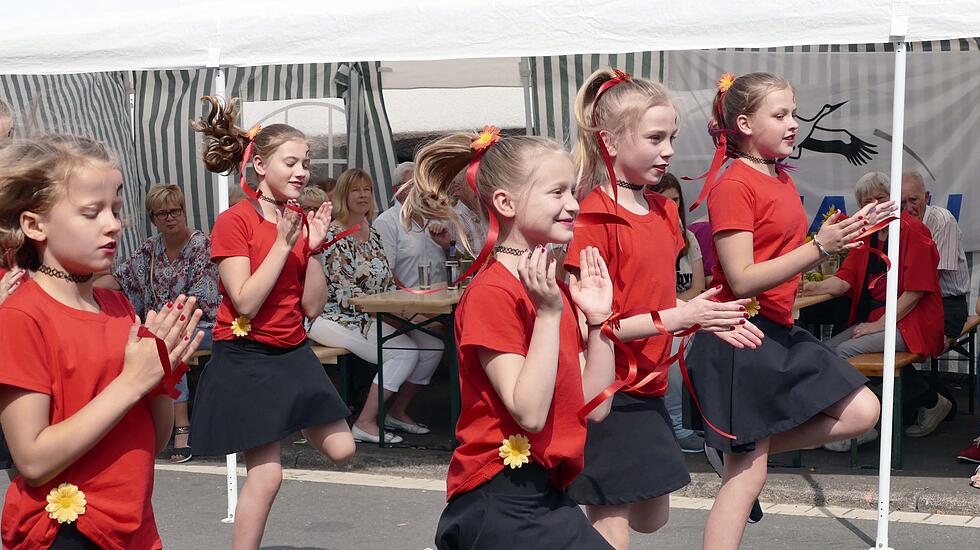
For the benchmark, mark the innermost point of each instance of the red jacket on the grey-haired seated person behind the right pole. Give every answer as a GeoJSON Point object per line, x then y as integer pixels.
{"type": "Point", "coordinates": [918, 271]}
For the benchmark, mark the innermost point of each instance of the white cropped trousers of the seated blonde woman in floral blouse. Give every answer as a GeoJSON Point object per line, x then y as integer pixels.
{"type": "Point", "coordinates": [400, 365]}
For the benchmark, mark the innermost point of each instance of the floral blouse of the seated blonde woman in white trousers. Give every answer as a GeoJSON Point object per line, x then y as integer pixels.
{"type": "Point", "coordinates": [354, 268]}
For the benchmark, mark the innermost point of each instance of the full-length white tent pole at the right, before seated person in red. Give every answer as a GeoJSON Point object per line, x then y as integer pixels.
{"type": "Point", "coordinates": [891, 302]}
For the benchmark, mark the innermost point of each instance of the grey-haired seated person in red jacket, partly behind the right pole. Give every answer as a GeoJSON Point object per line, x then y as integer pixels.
{"type": "Point", "coordinates": [919, 305]}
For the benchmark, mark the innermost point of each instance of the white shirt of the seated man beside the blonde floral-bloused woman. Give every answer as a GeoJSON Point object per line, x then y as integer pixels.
{"type": "Point", "coordinates": [407, 249]}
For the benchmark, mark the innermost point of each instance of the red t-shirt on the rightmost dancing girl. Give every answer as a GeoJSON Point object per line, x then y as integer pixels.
{"type": "Point", "coordinates": [745, 199]}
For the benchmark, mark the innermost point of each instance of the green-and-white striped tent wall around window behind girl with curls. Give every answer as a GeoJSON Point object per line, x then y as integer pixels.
{"type": "Point", "coordinates": [168, 100]}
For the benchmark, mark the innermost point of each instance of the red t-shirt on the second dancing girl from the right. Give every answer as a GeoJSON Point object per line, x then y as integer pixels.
{"type": "Point", "coordinates": [643, 273]}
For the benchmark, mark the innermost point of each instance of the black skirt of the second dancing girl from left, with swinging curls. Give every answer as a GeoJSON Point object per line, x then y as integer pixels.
{"type": "Point", "coordinates": [251, 394]}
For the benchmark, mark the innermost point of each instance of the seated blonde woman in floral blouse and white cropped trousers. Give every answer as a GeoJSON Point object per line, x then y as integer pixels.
{"type": "Point", "coordinates": [356, 265]}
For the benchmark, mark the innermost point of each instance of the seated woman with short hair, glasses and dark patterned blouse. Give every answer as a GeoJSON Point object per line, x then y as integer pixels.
{"type": "Point", "coordinates": [175, 261]}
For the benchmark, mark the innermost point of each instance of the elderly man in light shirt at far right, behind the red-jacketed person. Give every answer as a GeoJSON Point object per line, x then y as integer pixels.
{"type": "Point", "coordinates": [954, 274]}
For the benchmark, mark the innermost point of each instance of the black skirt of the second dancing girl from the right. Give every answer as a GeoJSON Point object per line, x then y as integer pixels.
{"type": "Point", "coordinates": [631, 456]}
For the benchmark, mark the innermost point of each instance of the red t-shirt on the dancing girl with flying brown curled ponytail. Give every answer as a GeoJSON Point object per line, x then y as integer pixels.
{"type": "Point", "coordinates": [242, 231]}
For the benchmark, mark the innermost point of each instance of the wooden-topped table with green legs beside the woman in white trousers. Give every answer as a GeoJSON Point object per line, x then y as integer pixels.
{"type": "Point", "coordinates": [402, 306]}
